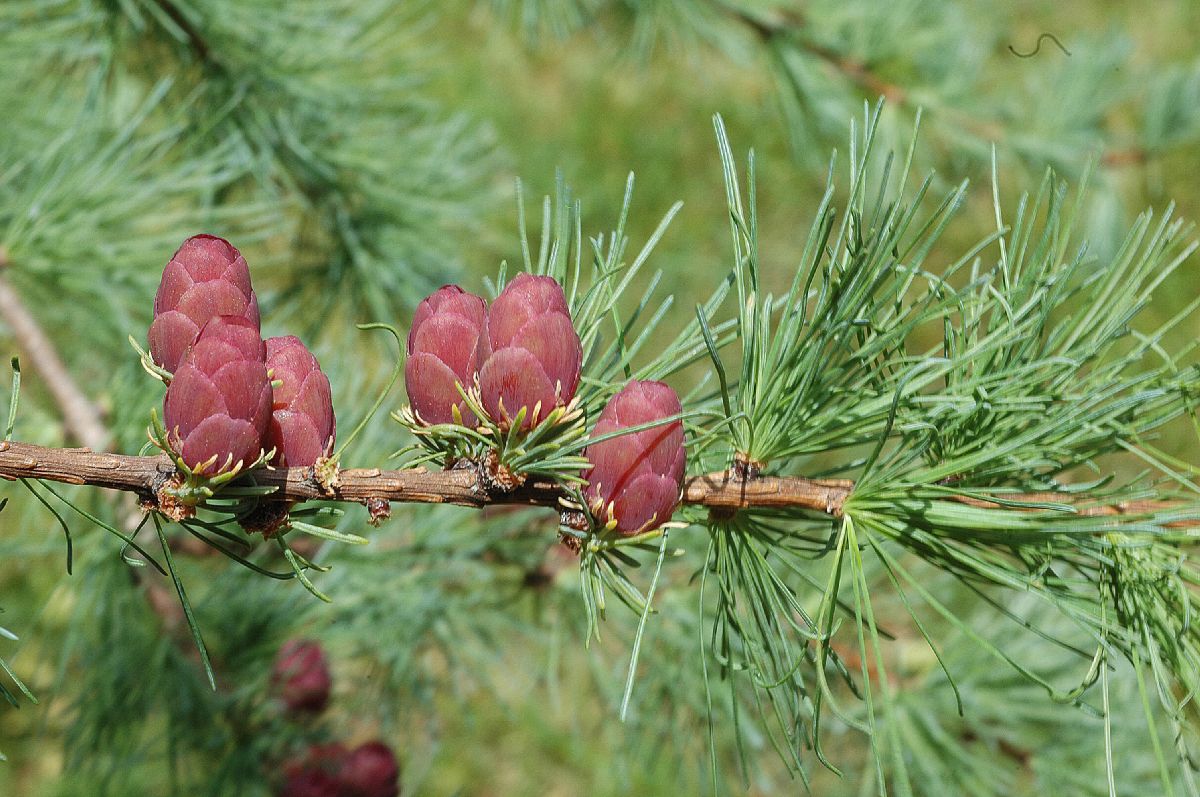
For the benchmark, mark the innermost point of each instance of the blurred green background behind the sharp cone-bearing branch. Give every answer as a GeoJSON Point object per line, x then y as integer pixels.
{"type": "Point", "coordinates": [361, 153]}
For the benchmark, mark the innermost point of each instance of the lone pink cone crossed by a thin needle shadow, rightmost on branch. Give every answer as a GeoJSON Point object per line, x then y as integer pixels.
{"type": "Point", "coordinates": [638, 477]}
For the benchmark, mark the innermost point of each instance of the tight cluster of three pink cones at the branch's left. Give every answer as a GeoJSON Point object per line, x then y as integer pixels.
{"type": "Point", "coordinates": [221, 406]}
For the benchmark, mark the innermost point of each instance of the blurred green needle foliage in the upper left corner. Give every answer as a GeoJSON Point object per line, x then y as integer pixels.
{"type": "Point", "coordinates": [350, 177]}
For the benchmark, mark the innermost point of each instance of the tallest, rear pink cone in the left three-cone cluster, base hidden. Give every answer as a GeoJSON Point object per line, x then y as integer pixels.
{"type": "Point", "coordinates": [206, 278]}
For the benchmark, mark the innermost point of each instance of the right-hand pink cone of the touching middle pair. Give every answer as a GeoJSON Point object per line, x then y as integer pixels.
{"type": "Point", "coordinates": [531, 352]}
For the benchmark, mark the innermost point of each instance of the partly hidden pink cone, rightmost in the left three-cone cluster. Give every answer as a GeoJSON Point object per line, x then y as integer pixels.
{"type": "Point", "coordinates": [302, 428]}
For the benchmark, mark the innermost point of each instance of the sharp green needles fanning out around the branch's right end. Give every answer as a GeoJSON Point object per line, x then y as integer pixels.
{"type": "Point", "coordinates": [1041, 374]}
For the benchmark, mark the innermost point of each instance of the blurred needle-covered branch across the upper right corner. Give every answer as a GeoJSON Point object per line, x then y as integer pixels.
{"type": "Point", "coordinates": [958, 64]}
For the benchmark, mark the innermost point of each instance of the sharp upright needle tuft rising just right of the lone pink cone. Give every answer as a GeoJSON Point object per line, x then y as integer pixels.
{"type": "Point", "coordinates": [829, 375]}
